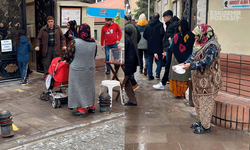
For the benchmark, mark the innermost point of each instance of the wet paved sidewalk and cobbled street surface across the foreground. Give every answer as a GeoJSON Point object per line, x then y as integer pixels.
{"type": "Point", "coordinates": [160, 121]}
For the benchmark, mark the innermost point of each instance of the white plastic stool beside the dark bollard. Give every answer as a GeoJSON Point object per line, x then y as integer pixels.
{"type": "Point", "coordinates": [110, 84]}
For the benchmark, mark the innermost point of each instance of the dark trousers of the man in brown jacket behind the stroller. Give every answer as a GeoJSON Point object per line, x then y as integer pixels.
{"type": "Point", "coordinates": [47, 60]}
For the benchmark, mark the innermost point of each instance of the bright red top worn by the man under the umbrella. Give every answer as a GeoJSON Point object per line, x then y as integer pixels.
{"type": "Point", "coordinates": [109, 34]}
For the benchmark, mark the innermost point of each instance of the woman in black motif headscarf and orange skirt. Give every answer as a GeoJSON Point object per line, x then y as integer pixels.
{"type": "Point", "coordinates": [182, 49]}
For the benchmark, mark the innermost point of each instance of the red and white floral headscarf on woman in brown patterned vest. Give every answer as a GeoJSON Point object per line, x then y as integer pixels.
{"type": "Point", "coordinates": [205, 33]}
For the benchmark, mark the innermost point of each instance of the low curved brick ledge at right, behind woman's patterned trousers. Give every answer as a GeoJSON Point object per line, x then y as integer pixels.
{"type": "Point", "coordinates": [232, 112]}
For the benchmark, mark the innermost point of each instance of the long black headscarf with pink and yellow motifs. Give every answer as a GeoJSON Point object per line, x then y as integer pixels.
{"type": "Point", "coordinates": [183, 42]}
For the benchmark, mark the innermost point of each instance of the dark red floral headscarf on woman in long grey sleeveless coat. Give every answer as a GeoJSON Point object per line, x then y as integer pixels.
{"type": "Point", "coordinates": [84, 33]}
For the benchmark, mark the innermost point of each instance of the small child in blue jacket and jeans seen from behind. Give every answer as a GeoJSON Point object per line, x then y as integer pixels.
{"type": "Point", "coordinates": [23, 47]}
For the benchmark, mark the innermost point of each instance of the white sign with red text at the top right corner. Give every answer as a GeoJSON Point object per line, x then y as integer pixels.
{"type": "Point", "coordinates": [235, 4]}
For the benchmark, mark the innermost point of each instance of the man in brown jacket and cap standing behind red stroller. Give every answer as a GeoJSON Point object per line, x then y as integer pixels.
{"type": "Point", "coordinates": [51, 39]}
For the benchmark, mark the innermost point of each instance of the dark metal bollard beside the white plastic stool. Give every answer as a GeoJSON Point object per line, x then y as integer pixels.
{"type": "Point", "coordinates": [104, 102]}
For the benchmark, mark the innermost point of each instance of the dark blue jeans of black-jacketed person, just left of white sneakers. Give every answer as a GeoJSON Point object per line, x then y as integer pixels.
{"type": "Point", "coordinates": [150, 64]}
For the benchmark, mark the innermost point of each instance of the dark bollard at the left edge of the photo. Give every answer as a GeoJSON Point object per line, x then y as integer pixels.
{"type": "Point", "coordinates": [6, 124]}
